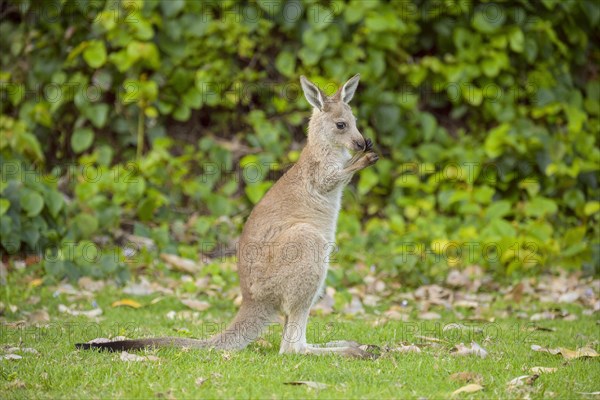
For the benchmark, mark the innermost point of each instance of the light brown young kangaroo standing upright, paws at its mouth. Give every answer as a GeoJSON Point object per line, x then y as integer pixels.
{"type": "Point", "coordinates": [286, 241]}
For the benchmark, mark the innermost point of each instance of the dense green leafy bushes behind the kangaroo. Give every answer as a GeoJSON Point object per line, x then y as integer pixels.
{"type": "Point", "coordinates": [168, 119]}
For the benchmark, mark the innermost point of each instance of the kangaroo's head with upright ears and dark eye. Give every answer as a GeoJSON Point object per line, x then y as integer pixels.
{"type": "Point", "coordinates": [332, 123]}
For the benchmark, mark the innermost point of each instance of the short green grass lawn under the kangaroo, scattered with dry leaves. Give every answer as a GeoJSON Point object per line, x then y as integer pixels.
{"type": "Point", "coordinates": [60, 371]}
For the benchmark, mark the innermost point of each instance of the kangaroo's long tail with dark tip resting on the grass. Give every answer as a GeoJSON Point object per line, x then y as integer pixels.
{"type": "Point", "coordinates": [245, 328]}
